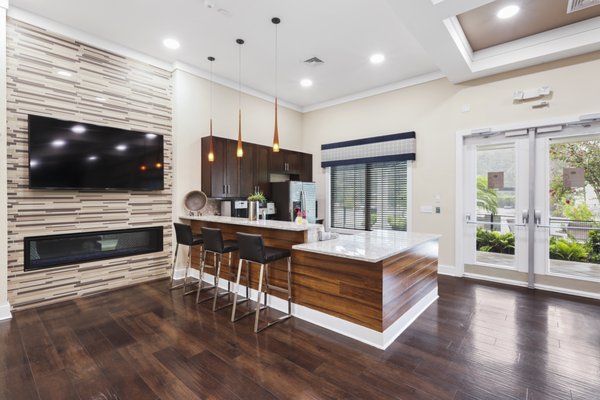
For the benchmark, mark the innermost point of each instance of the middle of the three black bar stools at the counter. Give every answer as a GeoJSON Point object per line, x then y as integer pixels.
{"type": "Point", "coordinates": [214, 243]}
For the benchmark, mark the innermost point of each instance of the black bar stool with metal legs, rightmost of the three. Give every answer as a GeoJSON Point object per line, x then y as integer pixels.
{"type": "Point", "coordinates": [253, 250]}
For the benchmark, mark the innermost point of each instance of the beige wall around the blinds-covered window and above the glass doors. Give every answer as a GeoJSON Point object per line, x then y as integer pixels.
{"type": "Point", "coordinates": [434, 111]}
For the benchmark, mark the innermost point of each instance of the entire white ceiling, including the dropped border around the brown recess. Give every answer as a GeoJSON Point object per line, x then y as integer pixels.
{"type": "Point", "coordinates": [421, 39]}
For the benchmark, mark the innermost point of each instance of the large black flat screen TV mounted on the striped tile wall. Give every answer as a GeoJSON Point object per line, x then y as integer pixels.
{"type": "Point", "coordinates": [73, 155]}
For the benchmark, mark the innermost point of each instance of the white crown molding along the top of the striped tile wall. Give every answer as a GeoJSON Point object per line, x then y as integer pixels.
{"type": "Point", "coordinates": [84, 37]}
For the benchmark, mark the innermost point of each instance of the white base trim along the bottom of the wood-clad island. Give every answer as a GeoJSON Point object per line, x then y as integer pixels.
{"type": "Point", "coordinates": [380, 340]}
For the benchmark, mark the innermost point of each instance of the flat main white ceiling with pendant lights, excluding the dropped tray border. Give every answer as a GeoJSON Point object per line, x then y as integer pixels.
{"type": "Point", "coordinates": [342, 33]}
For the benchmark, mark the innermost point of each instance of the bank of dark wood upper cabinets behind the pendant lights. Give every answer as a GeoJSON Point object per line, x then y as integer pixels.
{"type": "Point", "coordinates": [228, 176]}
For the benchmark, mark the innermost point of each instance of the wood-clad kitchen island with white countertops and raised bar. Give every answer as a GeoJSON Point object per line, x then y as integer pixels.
{"type": "Point", "coordinates": [369, 286]}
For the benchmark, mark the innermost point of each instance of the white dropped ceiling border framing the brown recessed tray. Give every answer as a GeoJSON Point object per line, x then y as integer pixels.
{"type": "Point", "coordinates": [434, 24]}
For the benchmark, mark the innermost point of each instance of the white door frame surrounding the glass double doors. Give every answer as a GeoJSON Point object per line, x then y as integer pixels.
{"type": "Point", "coordinates": [461, 172]}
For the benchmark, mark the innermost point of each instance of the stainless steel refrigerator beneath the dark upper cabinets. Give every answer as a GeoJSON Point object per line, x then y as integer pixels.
{"type": "Point", "coordinates": [293, 195]}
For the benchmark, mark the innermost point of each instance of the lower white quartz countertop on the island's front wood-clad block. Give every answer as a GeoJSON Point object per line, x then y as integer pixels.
{"type": "Point", "coordinates": [371, 246]}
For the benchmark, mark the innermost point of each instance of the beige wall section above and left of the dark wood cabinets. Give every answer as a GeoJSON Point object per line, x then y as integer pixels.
{"type": "Point", "coordinates": [191, 96]}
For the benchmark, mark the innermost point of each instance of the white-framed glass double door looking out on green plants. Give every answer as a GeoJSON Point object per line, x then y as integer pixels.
{"type": "Point", "coordinates": [531, 207]}
